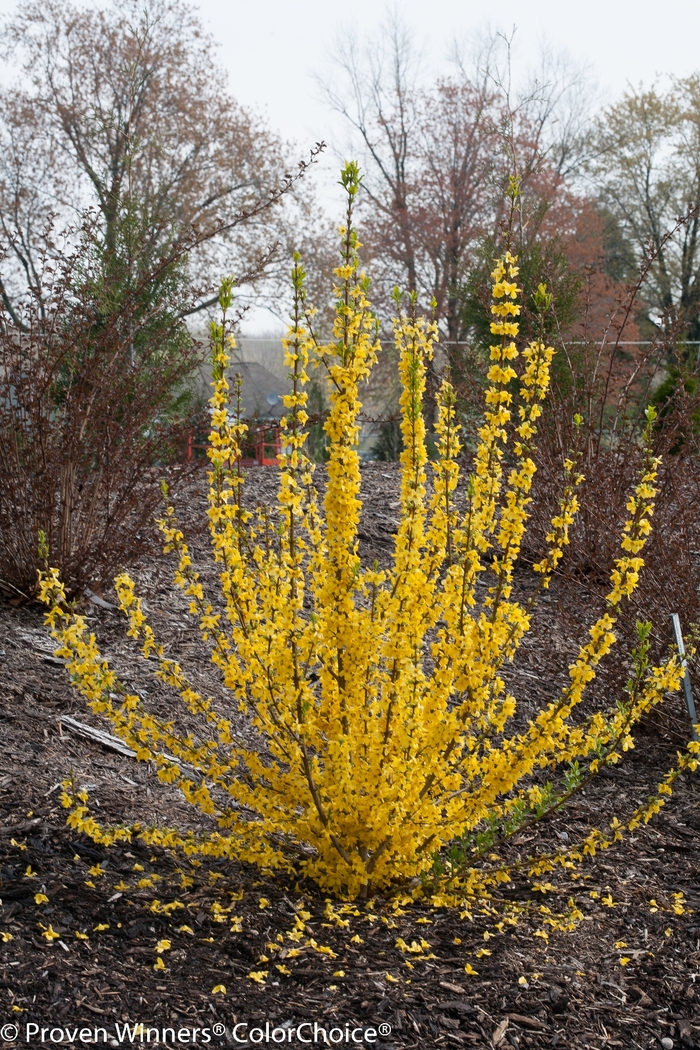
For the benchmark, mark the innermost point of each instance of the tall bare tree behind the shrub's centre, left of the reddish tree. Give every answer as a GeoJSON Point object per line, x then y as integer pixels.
{"type": "Point", "coordinates": [427, 156]}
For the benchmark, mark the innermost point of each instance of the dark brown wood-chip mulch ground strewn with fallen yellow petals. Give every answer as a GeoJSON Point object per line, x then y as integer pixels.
{"type": "Point", "coordinates": [572, 991]}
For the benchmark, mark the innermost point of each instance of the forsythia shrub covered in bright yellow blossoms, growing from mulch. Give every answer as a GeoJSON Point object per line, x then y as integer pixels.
{"type": "Point", "coordinates": [377, 696]}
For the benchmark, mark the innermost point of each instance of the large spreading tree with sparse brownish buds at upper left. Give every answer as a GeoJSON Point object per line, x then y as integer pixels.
{"type": "Point", "coordinates": [124, 109]}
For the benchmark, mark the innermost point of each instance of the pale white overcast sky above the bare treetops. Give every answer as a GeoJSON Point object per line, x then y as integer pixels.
{"type": "Point", "coordinates": [272, 48]}
